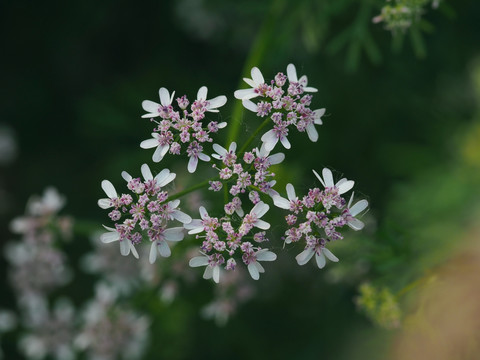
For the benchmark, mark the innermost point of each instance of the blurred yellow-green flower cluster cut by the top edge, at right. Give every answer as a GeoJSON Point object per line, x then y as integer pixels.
{"type": "Point", "coordinates": [403, 13]}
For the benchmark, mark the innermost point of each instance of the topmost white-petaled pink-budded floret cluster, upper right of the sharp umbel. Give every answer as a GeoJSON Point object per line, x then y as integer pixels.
{"type": "Point", "coordinates": [287, 105]}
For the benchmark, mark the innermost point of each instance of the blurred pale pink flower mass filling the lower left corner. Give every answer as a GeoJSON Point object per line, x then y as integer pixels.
{"type": "Point", "coordinates": [52, 327]}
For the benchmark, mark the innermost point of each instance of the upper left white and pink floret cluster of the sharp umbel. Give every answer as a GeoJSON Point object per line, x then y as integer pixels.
{"type": "Point", "coordinates": [182, 128]}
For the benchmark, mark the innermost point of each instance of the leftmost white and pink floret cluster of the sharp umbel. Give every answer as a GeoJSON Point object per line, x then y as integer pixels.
{"type": "Point", "coordinates": [148, 215]}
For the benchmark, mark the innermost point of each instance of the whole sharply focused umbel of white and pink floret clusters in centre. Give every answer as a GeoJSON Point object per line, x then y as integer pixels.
{"type": "Point", "coordinates": [237, 233]}
